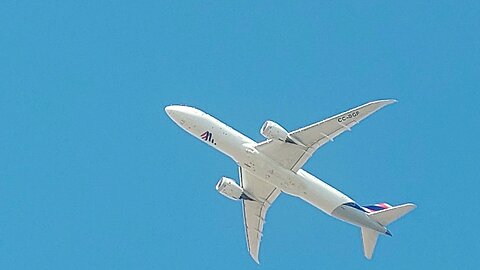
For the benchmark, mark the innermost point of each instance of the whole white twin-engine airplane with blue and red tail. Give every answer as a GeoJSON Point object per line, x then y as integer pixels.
{"type": "Point", "coordinates": [274, 166]}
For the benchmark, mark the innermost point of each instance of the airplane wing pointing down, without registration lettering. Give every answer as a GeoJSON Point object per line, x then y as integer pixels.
{"type": "Point", "coordinates": [254, 211]}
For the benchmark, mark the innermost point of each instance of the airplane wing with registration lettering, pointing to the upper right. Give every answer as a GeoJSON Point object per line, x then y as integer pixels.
{"type": "Point", "coordinates": [293, 156]}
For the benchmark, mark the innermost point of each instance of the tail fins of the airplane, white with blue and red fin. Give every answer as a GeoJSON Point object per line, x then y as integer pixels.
{"type": "Point", "coordinates": [384, 216]}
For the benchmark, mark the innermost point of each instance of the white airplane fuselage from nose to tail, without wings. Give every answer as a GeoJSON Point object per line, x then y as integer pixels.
{"type": "Point", "coordinates": [299, 184]}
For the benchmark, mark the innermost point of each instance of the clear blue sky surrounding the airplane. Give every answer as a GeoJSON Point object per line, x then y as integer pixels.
{"type": "Point", "coordinates": [94, 175]}
